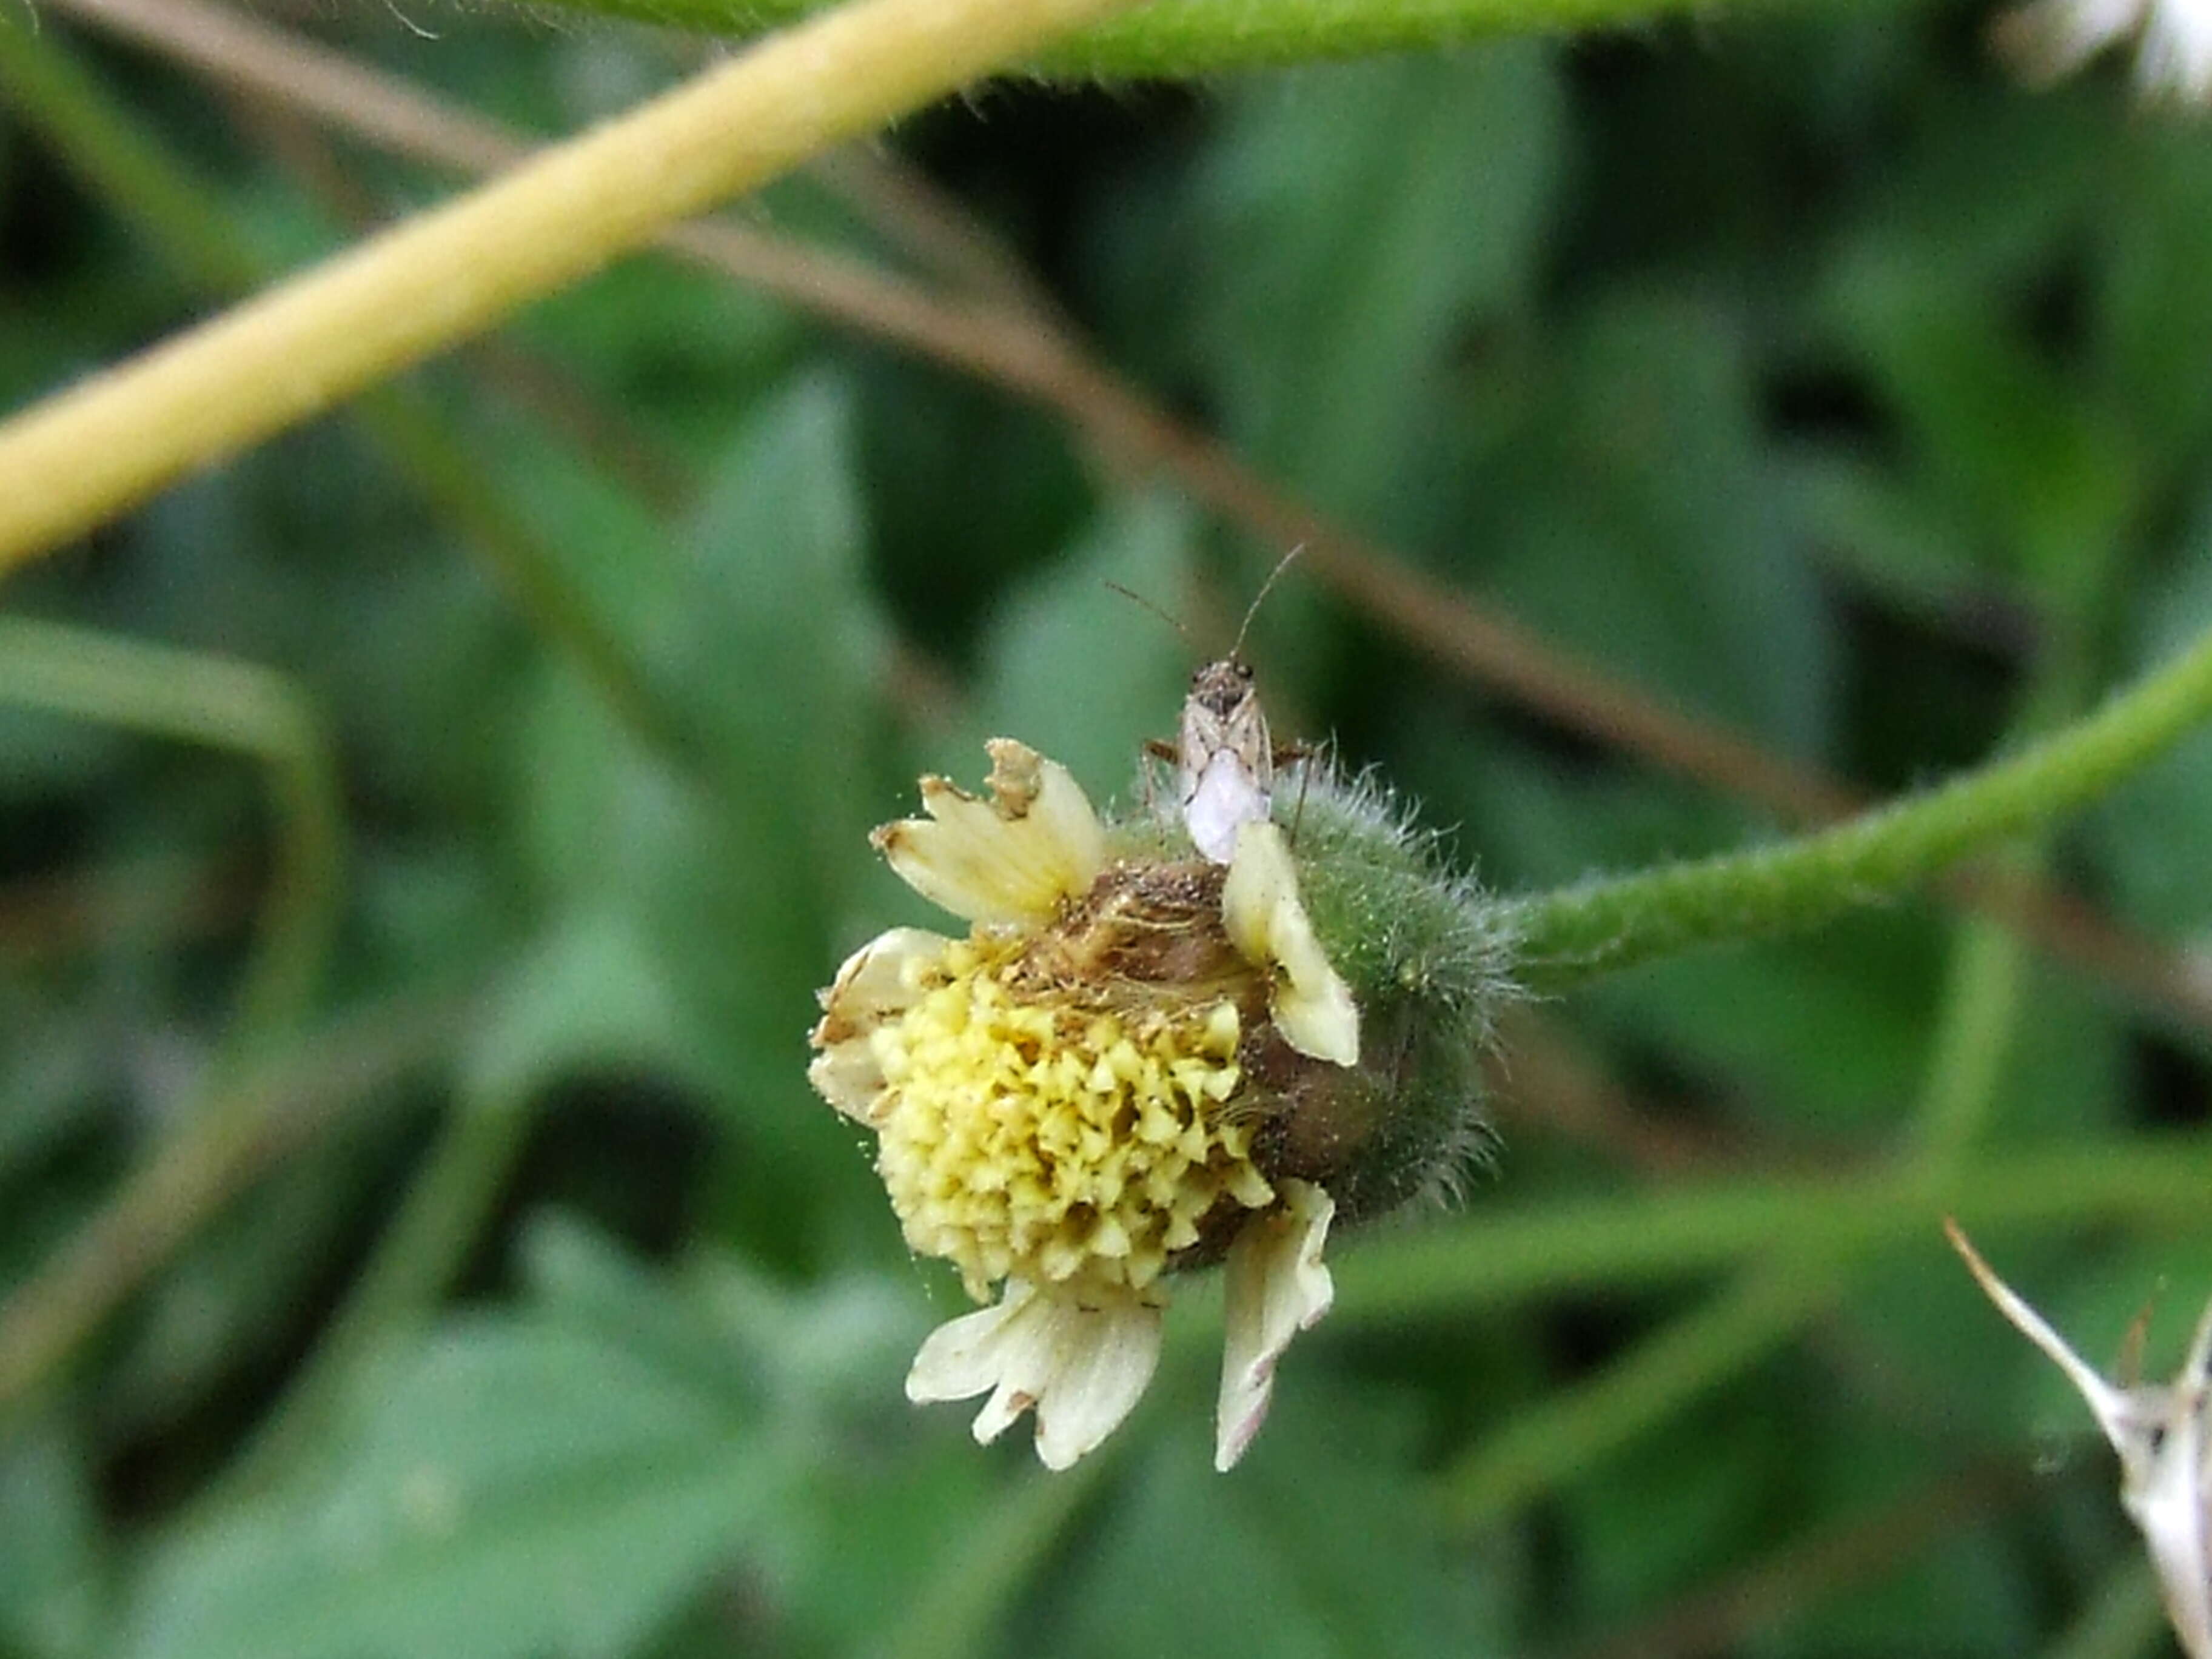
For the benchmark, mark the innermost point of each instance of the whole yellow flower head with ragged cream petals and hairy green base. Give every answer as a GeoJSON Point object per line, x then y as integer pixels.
{"type": "Point", "coordinates": [1142, 1063]}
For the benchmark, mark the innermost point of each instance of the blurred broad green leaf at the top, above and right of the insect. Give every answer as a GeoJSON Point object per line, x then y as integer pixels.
{"type": "Point", "coordinates": [1361, 222]}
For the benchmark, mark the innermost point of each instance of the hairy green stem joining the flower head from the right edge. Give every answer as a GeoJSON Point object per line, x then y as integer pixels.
{"type": "Point", "coordinates": [1603, 926]}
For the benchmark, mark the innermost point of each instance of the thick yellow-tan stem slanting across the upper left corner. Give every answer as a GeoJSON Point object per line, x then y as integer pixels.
{"type": "Point", "coordinates": [446, 275]}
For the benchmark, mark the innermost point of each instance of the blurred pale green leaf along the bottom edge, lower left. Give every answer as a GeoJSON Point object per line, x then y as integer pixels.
{"type": "Point", "coordinates": [521, 1485]}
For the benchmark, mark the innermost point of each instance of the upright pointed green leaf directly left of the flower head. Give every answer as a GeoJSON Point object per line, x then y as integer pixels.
{"type": "Point", "coordinates": [733, 875]}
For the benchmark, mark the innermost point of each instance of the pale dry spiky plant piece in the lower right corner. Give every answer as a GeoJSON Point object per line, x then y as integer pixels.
{"type": "Point", "coordinates": [2164, 1443]}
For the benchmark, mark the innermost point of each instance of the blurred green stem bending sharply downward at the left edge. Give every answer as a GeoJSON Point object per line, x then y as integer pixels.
{"type": "Point", "coordinates": [233, 707]}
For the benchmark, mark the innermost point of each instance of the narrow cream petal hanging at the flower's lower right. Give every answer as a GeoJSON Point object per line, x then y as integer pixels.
{"type": "Point", "coordinates": [1277, 1288]}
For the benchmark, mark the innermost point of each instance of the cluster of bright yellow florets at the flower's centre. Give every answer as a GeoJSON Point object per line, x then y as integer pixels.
{"type": "Point", "coordinates": [1039, 1136]}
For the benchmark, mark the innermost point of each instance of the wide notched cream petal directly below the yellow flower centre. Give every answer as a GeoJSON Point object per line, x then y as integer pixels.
{"type": "Point", "coordinates": [1081, 1366]}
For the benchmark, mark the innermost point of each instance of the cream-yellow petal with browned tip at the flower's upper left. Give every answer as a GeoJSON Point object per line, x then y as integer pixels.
{"type": "Point", "coordinates": [1012, 857]}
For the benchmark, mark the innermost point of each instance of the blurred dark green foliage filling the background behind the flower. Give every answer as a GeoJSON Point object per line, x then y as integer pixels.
{"type": "Point", "coordinates": [1799, 373]}
